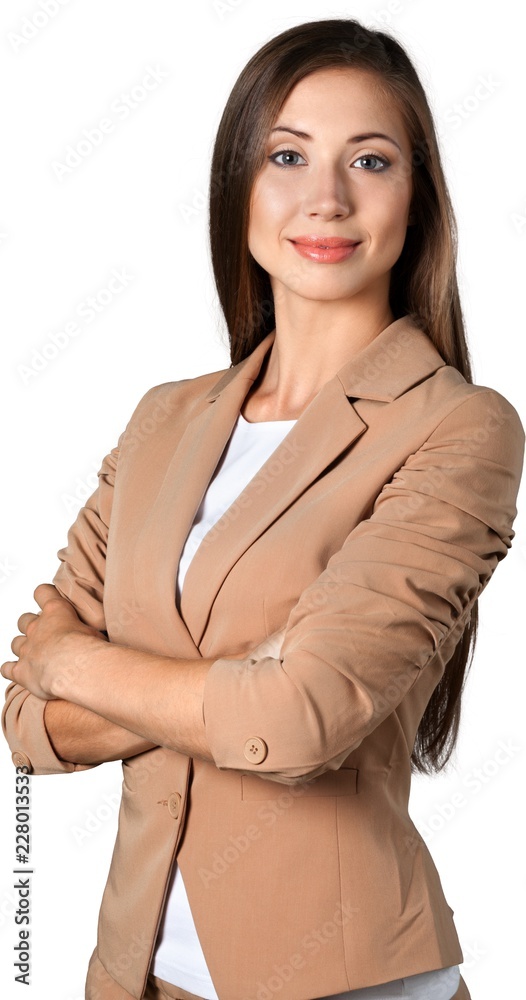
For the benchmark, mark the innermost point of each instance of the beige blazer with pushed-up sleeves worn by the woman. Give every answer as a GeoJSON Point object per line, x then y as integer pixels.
{"type": "Point", "coordinates": [368, 533]}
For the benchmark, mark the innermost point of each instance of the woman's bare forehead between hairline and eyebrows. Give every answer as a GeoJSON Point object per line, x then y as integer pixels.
{"type": "Point", "coordinates": [354, 95]}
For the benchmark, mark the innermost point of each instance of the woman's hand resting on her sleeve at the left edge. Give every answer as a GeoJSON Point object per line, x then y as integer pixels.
{"type": "Point", "coordinates": [53, 642]}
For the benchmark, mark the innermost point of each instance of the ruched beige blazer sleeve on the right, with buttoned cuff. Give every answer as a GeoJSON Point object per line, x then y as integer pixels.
{"type": "Point", "coordinates": [393, 600]}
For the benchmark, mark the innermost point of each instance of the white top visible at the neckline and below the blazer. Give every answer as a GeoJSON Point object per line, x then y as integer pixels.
{"type": "Point", "coordinates": [178, 957]}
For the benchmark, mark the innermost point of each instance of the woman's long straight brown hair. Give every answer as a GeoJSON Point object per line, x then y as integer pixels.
{"type": "Point", "coordinates": [423, 281]}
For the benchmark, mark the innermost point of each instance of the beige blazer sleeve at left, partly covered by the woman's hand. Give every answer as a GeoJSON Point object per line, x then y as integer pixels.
{"type": "Point", "coordinates": [80, 578]}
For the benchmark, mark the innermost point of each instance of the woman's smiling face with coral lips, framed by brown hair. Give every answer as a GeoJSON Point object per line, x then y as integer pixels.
{"type": "Point", "coordinates": [346, 175]}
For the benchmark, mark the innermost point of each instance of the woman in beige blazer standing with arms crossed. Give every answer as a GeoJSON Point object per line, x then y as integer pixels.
{"type": "Point", "coordinates": [334, 503]}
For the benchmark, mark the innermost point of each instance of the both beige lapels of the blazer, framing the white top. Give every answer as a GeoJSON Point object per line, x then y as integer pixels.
{"type": "Point", "coordinates": [398, 358]}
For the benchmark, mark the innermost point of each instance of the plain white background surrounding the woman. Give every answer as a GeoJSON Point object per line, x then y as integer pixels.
{"type": "Point", "coordinates": [137, 201]}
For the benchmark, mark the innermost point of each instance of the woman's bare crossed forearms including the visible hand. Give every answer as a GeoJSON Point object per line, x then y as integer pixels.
{"type": "Point", "coordinates": [110, 701]}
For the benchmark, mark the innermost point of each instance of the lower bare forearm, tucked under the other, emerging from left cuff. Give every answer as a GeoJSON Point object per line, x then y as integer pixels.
{"type": "Point", "coordinates": [83, 737]}
